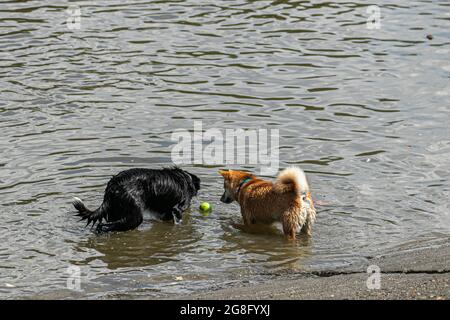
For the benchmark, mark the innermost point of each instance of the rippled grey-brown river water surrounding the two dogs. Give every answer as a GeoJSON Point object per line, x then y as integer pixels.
{"type": "Point", "coordinates": [364, 112]}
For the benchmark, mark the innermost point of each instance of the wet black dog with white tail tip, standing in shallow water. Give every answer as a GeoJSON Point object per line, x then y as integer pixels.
{"type": "Point", "coordinates": [164, 193]}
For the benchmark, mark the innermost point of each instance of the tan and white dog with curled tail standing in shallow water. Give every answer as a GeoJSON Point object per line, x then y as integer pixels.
{"type": "Point", "coordinates": [287, 200]}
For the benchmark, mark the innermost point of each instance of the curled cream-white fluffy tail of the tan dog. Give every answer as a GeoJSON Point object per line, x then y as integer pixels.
{"type": "Point", "coordinates": [292, 179]}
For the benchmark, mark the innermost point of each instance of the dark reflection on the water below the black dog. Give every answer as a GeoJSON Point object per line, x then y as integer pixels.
{"type": "Point", "coordinates": [151, 244]}
